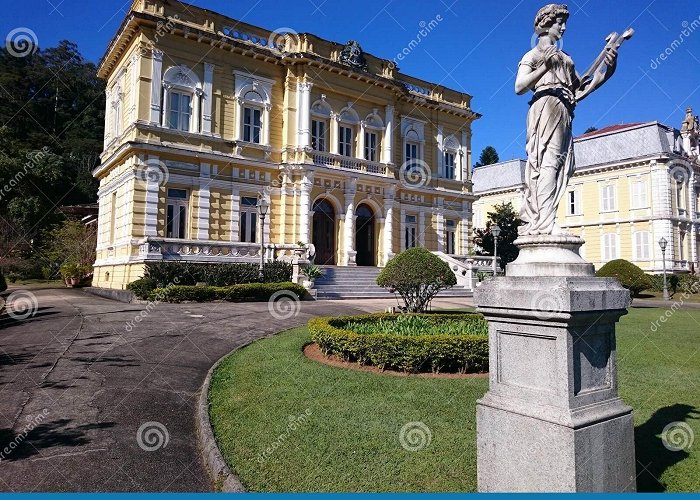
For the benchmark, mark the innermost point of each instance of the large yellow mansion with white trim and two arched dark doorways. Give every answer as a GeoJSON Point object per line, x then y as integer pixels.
{"type": "Point", "coordinates": [206, 116]}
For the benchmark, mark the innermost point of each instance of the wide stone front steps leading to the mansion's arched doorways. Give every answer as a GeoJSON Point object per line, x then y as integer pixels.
{"type": "Point", "coordinates": [341, 282]}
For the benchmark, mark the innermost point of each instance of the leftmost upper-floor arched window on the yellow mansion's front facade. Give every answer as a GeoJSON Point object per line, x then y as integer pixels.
{"type": "Point", "coordinates": [181, 99]}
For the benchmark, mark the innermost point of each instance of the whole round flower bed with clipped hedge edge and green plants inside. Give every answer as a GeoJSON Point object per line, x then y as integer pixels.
{"type": "Point", "coordinates": [411, 343]}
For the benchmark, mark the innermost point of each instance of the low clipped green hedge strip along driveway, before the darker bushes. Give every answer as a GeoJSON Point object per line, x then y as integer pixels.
{"type": "Point", "coordinates": [248, 292]}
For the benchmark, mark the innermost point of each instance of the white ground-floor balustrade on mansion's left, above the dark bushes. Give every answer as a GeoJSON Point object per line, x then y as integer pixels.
{"type": "Point", "coordinates": [154, 248]}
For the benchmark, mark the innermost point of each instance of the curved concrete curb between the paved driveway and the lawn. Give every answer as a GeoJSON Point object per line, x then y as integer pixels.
{"type": "Point", "coordinates": [224, 479]}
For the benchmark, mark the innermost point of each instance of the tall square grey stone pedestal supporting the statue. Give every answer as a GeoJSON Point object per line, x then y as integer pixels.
{"type": "Point", "coordinates": [552, 419]}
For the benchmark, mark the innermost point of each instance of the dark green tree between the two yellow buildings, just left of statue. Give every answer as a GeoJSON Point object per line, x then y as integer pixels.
{"type": "Point", "coordinates": [508, 220]}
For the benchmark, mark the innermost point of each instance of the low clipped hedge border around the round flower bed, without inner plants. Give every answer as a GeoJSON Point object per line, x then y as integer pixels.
{"type": "Point", "coordinates": [414, 353]}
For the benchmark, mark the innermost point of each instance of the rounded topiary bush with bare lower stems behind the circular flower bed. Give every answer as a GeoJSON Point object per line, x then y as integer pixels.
{"type": "Point", "coordinates": [417, 275]}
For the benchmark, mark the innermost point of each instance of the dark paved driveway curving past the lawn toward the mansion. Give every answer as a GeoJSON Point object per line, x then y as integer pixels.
{"type": "Point", "coordinates": [77, 381]}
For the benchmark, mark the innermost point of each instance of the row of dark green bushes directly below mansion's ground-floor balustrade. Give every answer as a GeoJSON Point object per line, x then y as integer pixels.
{"type": "Point", "coordinates": [190, 273]}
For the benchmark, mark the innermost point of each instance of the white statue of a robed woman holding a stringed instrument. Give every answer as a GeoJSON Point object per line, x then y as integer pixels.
{"type": "Point", "coordinates": [549, 72]}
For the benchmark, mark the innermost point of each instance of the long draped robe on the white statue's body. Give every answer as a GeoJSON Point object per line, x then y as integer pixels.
{"type": "Point", "coordinates": [550, 146]}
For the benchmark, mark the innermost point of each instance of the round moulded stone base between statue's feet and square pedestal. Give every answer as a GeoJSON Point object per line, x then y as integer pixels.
{"type": "Point", "coordinates": [549, 255]}
